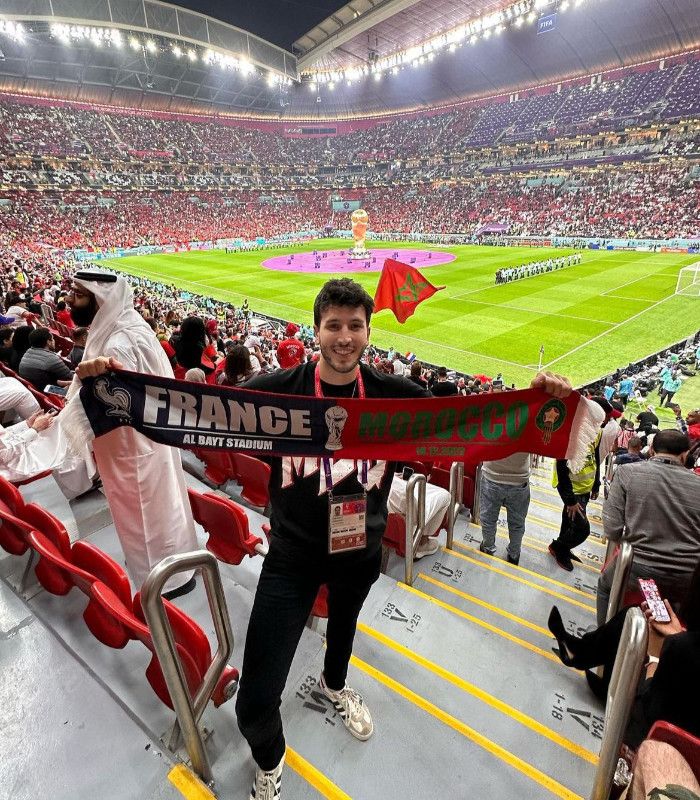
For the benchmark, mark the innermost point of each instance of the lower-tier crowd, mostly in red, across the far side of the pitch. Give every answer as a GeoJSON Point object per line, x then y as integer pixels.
{"type": "Point", "coordinates": [658, 201]}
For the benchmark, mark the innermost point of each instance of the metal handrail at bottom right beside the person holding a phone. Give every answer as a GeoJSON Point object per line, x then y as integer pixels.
{"type": "Point", "coordinates": [631, 655]}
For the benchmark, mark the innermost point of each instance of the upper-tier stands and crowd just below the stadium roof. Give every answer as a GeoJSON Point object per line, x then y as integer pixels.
{"type": "Point", "coordinates": [63, 130]}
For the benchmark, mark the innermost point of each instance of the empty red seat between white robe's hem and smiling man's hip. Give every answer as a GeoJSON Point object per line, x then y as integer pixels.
{"type": "Point", "coordinates": [230, 539]}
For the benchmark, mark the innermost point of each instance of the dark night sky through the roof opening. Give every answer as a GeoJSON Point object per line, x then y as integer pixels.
{"type": "Point", "coordinates": [279, 21]}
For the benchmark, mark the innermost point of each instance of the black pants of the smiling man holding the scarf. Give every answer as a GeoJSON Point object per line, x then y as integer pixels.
{"type": "Point", "coordinates": [288, 585]}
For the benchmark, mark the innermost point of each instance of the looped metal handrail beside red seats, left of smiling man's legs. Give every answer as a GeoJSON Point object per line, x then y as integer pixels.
{"type": "Point", "coordinates": [187, 710]}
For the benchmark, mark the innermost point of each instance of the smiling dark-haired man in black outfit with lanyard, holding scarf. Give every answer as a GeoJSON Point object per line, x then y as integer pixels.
{"type": "Point", "coordinates": [307, 496]}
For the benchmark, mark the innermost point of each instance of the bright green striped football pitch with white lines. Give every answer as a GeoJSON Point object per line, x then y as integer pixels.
{"type": "Point", "coordinates": [614, 308]}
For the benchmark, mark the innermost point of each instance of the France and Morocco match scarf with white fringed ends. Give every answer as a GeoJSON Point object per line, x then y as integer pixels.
{"type": "Point", "coordinates": [199, 415]}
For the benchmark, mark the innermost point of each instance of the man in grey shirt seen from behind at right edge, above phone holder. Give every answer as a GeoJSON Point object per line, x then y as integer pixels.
{"type": "Point", "coordinates": [655, 506]}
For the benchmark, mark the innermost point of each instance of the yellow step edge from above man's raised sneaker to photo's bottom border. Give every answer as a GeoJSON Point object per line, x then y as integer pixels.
{"type": "Point", "coordinates": [479, 739]}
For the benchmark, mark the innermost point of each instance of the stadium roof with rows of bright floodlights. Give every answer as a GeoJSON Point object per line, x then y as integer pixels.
{"type": "Point", "coordinates": [396, 54]}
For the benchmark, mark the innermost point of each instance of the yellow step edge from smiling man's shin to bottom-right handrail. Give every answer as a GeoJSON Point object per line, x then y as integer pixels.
{"type": "Point", "coordinates": [486, 698]}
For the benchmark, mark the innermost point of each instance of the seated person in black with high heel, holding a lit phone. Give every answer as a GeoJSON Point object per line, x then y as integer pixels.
{"type": "Point", "coordinates": [669, 688]}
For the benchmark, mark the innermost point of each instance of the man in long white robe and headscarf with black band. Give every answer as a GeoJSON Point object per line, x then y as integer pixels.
{"type": "Point", "coordinates": [143, 481]}
